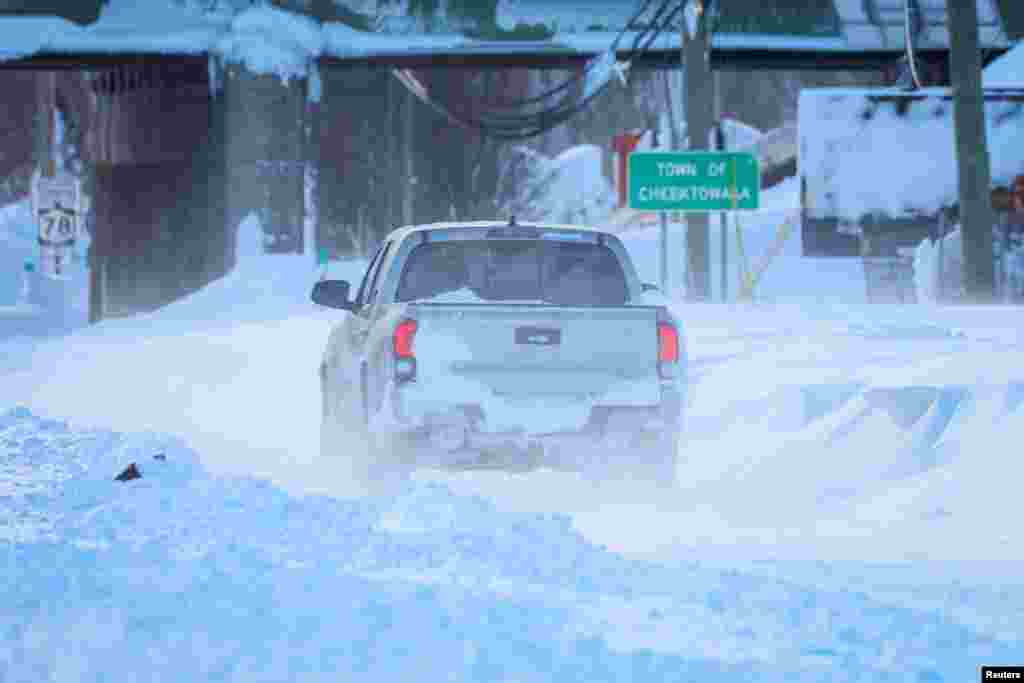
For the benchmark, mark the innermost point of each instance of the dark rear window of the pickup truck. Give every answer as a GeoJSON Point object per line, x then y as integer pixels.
{"type": "Point", "coordinates": [529, 271]}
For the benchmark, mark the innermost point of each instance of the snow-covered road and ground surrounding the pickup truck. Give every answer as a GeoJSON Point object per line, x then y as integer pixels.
{"type": "Point", "coordinates": [848, 511]}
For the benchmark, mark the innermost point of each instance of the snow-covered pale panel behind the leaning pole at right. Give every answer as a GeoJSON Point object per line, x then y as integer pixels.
{"type": "Point", "coordinates": [860, 155]}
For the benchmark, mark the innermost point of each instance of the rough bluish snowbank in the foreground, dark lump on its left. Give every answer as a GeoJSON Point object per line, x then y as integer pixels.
{"type": "Point", "coordinates": [182, 575]}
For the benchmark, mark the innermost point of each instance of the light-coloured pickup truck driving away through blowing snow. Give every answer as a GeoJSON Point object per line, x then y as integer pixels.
{"type": "Point", "coordinates": [492, 345]}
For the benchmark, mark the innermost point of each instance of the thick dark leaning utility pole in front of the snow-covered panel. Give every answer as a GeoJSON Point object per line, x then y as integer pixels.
{"type": "Point", "coordinates": [977, 218]}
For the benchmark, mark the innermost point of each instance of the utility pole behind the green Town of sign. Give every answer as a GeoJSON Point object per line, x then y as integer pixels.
{"type": "Point", "coordinates": [700, 106]}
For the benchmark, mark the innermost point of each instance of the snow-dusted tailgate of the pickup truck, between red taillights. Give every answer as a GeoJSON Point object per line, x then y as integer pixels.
{"type": "Point", "coordinates": [607, 355]}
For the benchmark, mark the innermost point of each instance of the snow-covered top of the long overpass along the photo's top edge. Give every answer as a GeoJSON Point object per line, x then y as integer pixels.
{"type": "Point", "coordinates": [387, 28]}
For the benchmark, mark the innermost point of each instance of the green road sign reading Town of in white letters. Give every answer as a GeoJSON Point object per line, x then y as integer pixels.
{"type": "Point", "coordinates": [694, 182]}
